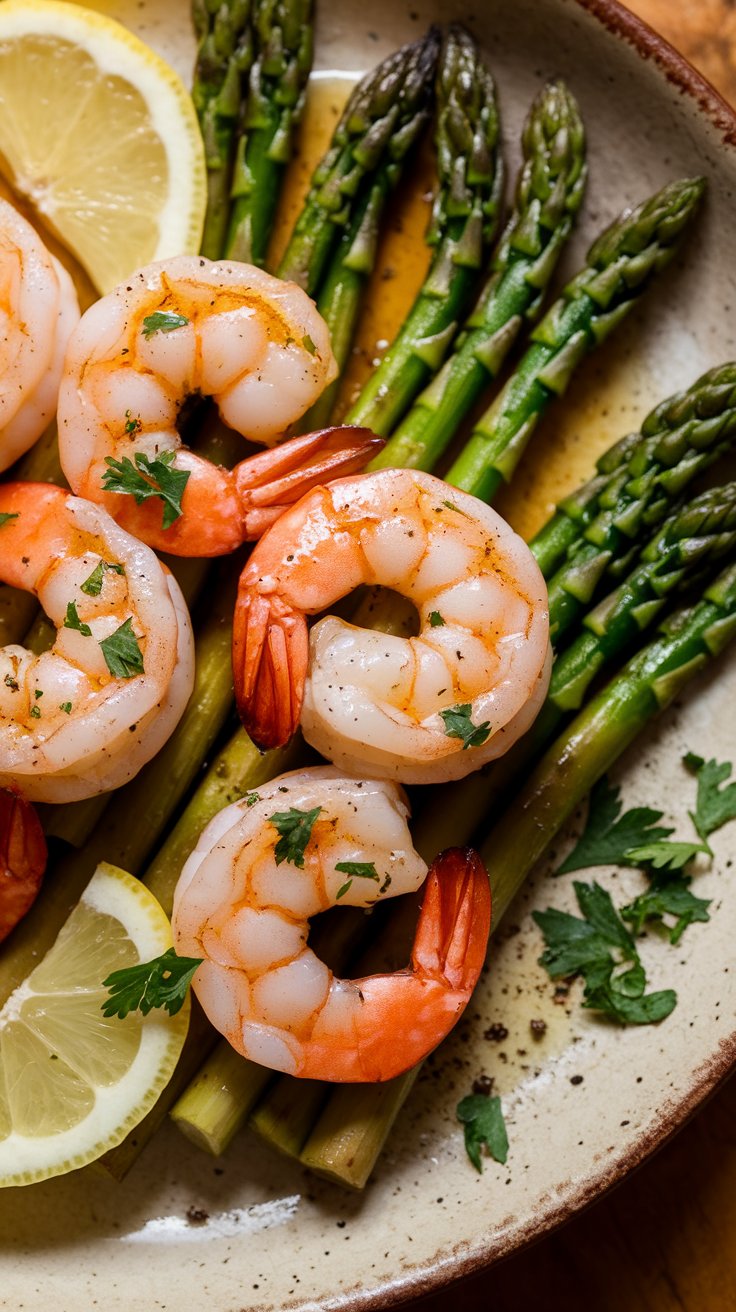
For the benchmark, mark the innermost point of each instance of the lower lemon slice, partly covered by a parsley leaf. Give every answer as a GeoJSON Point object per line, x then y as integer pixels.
{"type": "Point", "coordinates": [73, 1084]}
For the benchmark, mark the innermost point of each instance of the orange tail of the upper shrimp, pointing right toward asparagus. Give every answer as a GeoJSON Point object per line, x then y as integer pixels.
{"type": "Point", "coordinates": [272, 481]}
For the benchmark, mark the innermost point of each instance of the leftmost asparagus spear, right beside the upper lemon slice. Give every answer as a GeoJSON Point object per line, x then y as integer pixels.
{"type": "Point", "coordinates": [225, 56]}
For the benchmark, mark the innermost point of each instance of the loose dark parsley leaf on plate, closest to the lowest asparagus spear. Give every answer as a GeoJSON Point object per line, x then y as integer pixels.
{"type": "Point", "coordinates": [609, 836]}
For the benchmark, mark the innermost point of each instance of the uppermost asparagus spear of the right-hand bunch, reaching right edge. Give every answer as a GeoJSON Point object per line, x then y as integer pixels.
{"type": "Point", "coordinates": [679, 439]}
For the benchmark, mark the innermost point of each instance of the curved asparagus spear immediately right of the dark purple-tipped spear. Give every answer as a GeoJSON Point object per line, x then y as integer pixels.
{"type": "Point", "coordinates": [464, 221]}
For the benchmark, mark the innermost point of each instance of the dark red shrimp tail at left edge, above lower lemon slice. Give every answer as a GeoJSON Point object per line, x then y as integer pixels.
{"type": "Point", "coordinates": [23, 859]}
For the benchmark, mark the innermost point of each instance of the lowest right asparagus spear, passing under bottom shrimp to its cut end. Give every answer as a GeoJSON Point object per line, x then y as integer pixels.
{"type": "Point", "coordinates": [356, 1120]}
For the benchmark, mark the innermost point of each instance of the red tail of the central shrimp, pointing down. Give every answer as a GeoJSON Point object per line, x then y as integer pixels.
{"type": "Point", "coordinates": [270, 667]}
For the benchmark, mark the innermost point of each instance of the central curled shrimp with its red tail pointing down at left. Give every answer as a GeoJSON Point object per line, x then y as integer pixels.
{"type": "Point", "coordinates": [424, 709]}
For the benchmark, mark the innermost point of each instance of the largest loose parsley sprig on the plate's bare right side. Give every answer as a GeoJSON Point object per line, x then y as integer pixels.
{"type": "Point", "coordinates": [615, 985]}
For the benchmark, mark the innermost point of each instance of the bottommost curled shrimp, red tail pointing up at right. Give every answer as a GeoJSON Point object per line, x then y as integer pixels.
{"type": "Point", "coordinates": [245, 901]}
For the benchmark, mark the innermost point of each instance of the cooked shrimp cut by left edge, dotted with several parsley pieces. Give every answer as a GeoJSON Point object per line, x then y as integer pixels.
{"type": "Point", "coordinates": [86, 716]}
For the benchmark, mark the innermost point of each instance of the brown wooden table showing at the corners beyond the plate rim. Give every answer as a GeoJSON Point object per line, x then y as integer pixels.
{"type": "Point", "coordinates": [664, 1240]}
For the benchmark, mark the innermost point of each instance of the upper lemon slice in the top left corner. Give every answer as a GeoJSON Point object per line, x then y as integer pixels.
{"type": "Point", "coordinates": [100, 136]}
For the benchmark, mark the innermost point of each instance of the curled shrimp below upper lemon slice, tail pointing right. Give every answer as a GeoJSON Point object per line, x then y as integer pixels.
{"type": "Point", "coordinates": [184, 329]}
